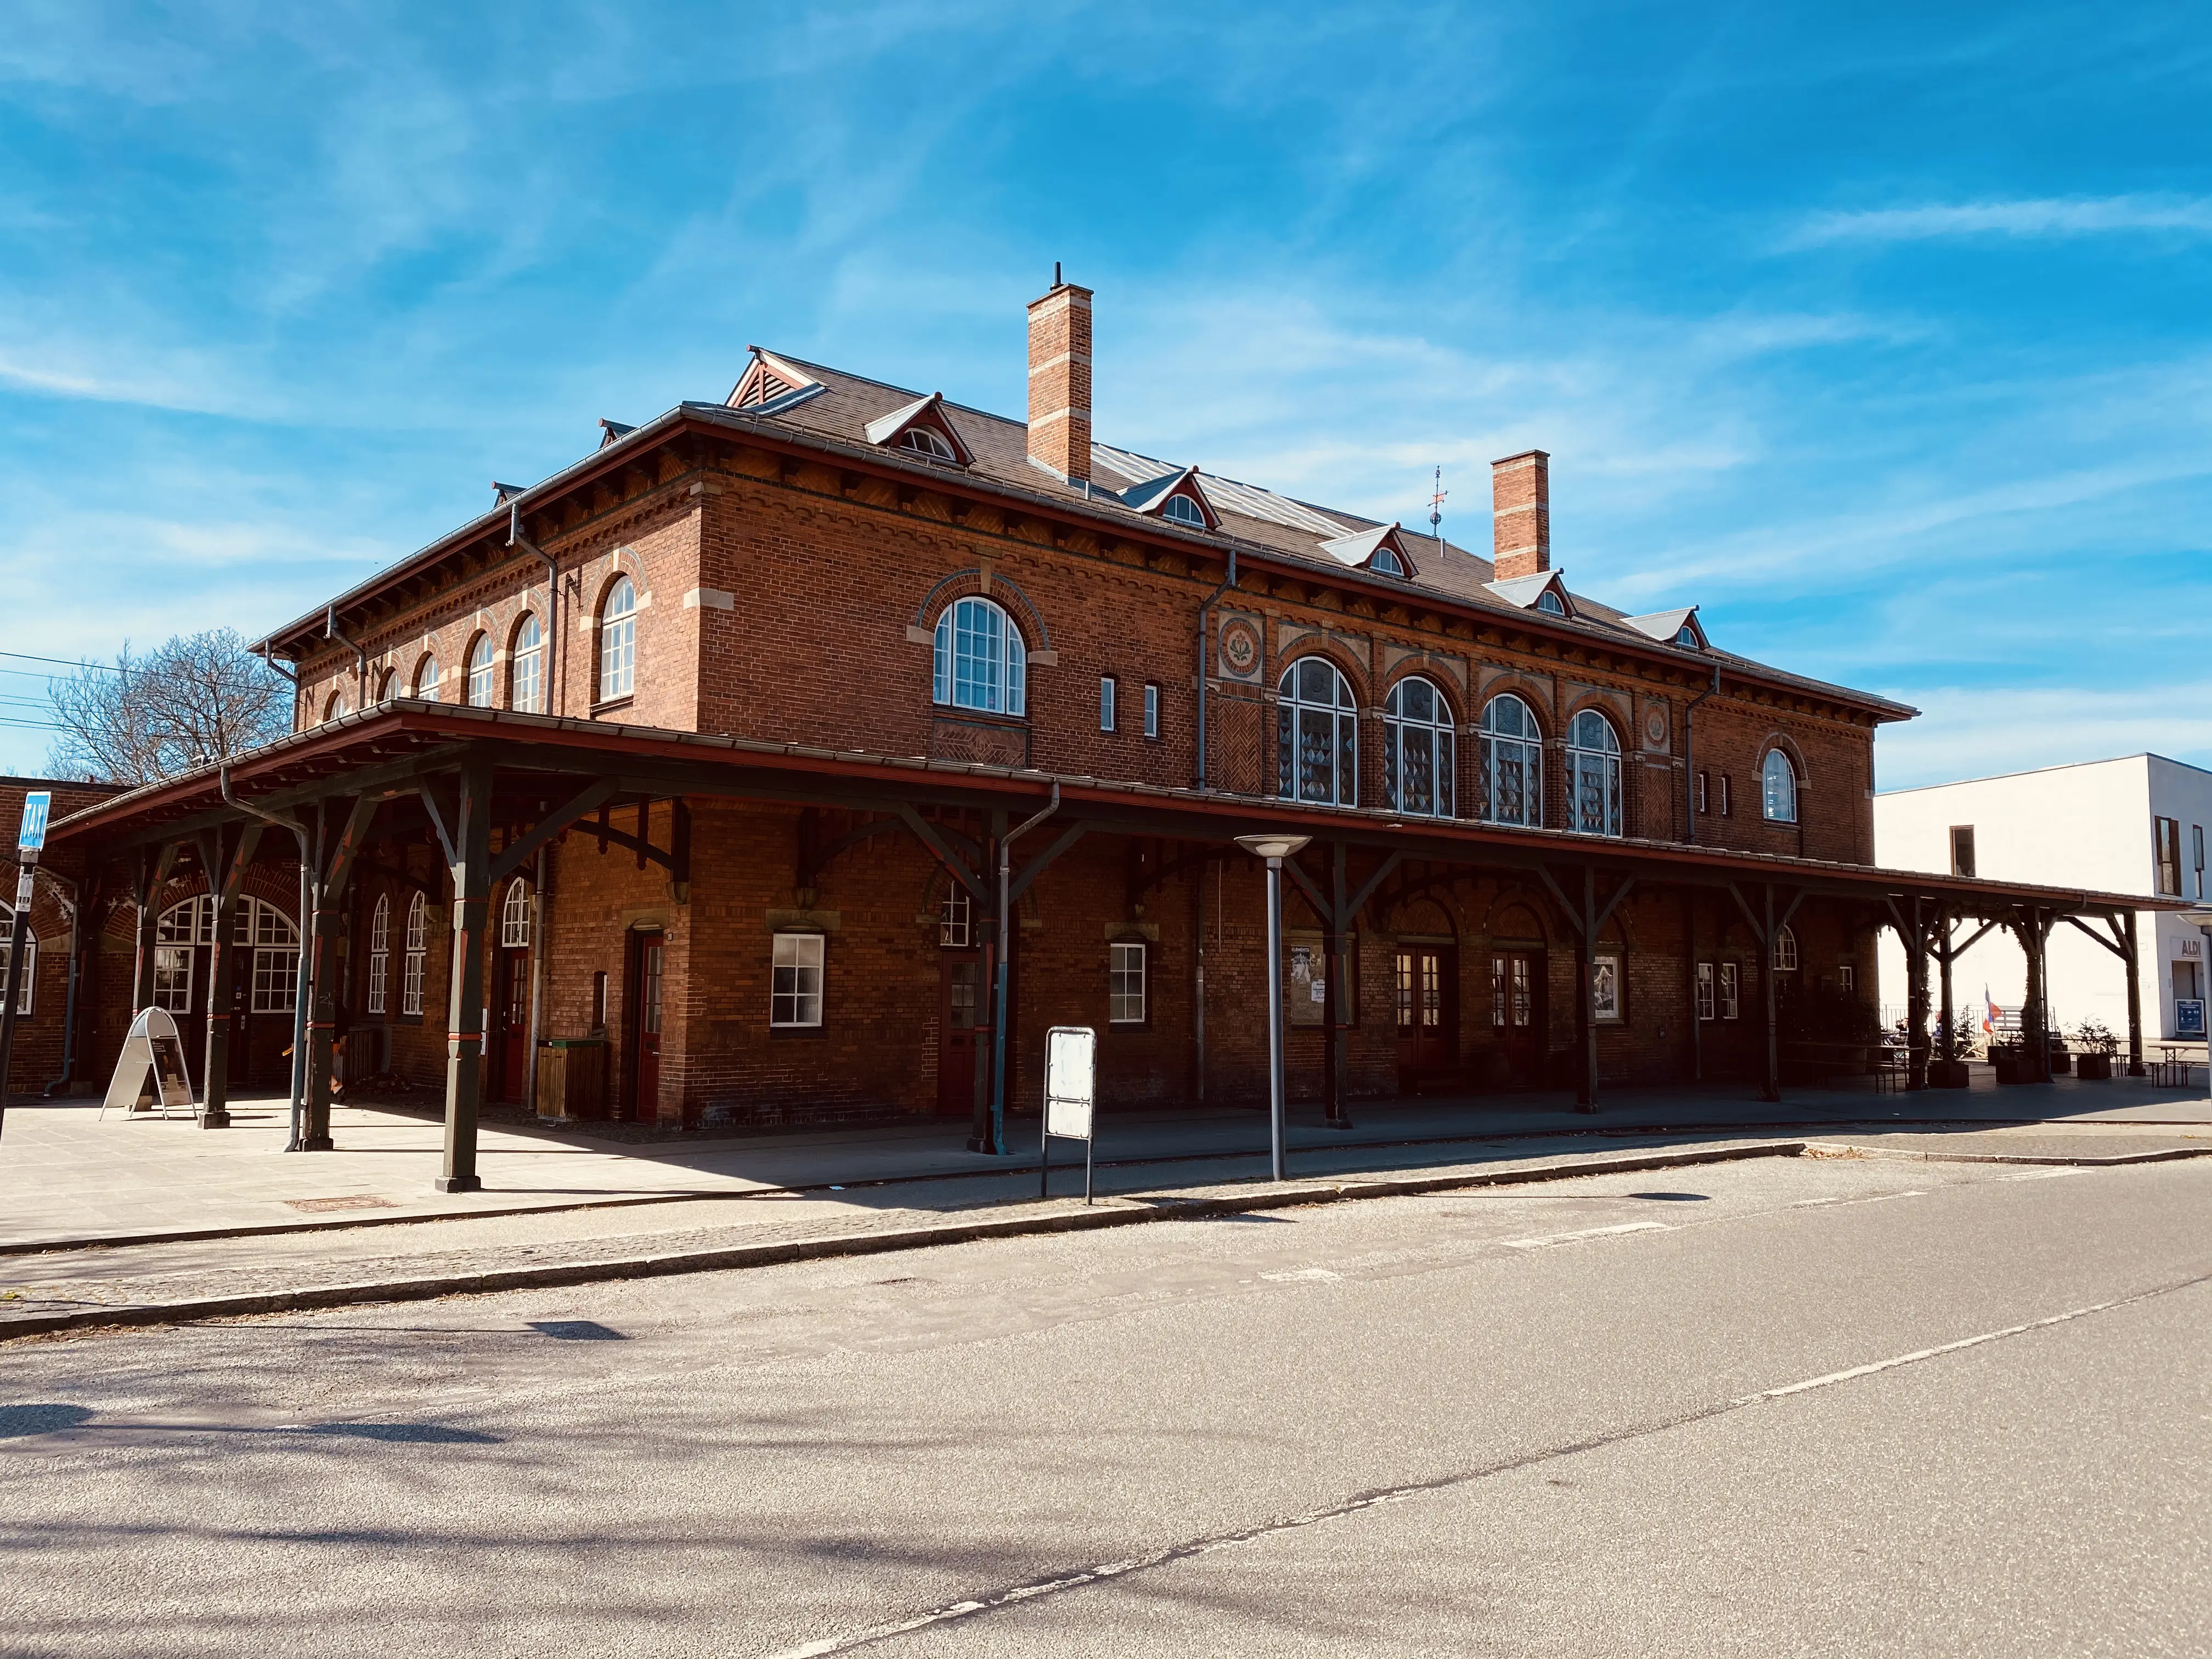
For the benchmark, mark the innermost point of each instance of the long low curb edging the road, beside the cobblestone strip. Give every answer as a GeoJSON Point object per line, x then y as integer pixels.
{"type": "Point", "coordinates": [1112, 1213]}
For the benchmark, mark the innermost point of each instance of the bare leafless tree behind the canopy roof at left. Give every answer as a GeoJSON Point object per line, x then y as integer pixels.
{"type": "Point", "coordinates": [196, 700]}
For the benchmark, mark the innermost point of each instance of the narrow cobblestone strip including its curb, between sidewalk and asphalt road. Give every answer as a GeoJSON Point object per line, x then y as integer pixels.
{"type": "Point", "coordinates": [273, 1291]}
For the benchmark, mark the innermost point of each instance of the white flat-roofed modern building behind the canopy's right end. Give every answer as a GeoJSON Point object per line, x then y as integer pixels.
{"type": "Point", "coordinates": [2131, 826]}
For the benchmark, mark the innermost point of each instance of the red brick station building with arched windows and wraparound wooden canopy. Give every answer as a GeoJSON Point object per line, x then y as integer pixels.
{"type": "Point", "coordinates": [678, 789]}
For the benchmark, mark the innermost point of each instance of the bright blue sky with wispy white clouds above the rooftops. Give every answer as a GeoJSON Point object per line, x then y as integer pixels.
{"type": "Point", "coordinates": [1877, 333]}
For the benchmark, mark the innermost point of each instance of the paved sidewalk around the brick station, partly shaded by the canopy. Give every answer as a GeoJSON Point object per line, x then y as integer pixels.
{"type": "Point", "coordinates": [70, 1178]}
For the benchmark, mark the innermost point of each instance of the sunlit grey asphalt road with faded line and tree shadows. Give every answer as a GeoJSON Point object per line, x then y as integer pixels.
{"type": "Point", "coordinates": [1605, 1417]}
